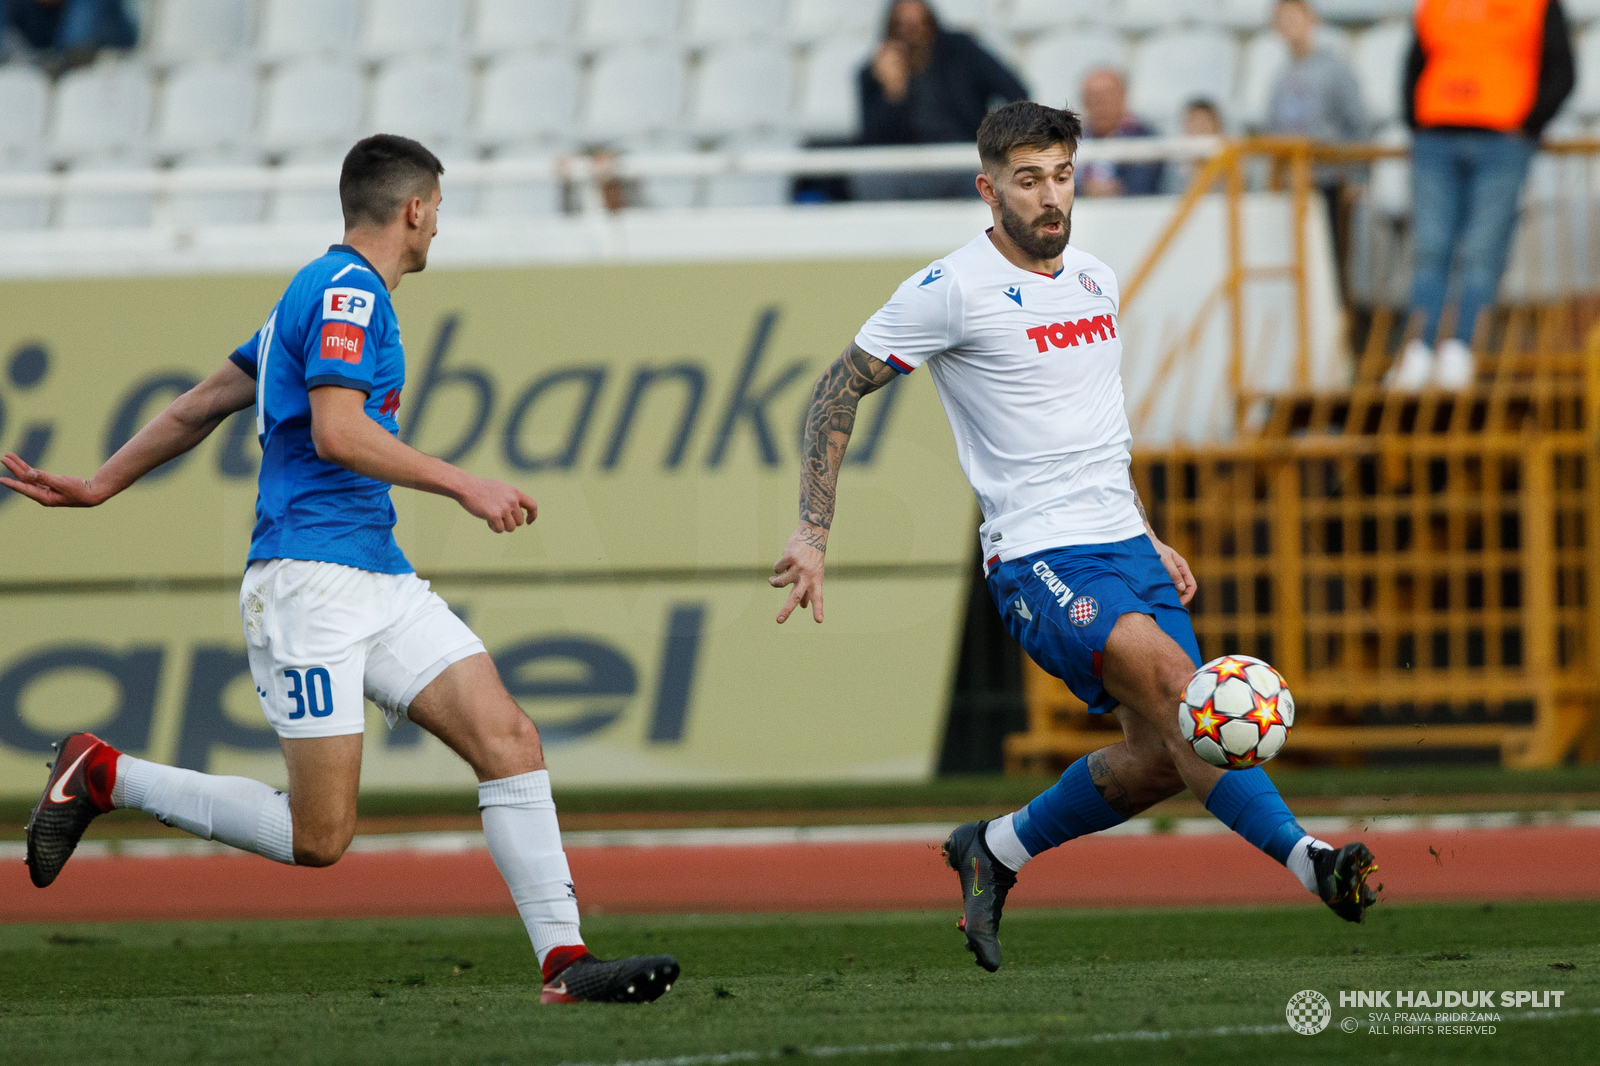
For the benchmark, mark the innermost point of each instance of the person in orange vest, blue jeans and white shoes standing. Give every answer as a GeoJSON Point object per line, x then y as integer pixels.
{"type": "Point", "coordinates": [1481, 86]}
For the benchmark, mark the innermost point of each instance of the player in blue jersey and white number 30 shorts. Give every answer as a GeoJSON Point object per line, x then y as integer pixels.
{"type": "Point", "coordinates": [334, 612]}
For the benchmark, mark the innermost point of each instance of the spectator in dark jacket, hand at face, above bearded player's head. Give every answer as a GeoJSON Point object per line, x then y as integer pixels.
{"type": "Point", "coordinates": [927, 86]}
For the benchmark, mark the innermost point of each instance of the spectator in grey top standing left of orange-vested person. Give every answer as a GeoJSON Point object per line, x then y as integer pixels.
{"type": "Point", "coordinates": [1316, 97]}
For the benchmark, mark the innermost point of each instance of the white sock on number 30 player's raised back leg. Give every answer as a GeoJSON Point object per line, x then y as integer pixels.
{"type": "Point", "coordinates": [238, 812]}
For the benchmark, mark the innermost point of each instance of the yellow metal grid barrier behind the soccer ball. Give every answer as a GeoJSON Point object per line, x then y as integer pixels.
{"type": "Point", "coordinates": [1420, 567]}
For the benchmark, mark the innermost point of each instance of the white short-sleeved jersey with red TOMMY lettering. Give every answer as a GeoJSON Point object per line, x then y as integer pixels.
{"type": "Point", "coordinates": [1030, 371]}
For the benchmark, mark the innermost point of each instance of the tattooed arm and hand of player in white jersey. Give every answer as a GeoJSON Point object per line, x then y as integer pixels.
{"type": "Point", "coordinates": [828, 427]}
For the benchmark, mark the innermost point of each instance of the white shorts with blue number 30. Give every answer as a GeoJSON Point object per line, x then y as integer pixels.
{"type": "Point", "coordinates": [324, 638]}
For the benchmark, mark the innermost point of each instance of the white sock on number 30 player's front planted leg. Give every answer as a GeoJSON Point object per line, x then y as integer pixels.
{"type": "Point", "coordinates": [526, 841]}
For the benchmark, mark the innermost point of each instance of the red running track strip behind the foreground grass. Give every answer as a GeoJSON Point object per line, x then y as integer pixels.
{"type": "Point", "coordinates": [1532, 864]}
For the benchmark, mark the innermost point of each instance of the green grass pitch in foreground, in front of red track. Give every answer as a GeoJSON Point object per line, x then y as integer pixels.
{"type": "Point", "coordinates": [1087, 987]}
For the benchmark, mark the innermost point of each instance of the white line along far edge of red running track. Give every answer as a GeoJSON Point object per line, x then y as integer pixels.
{"type": "Point", "coordinates": [767, 836]}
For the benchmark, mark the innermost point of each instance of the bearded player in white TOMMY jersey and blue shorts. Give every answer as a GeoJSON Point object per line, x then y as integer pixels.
{"type": "Point", "coordinates": [1020, 332]}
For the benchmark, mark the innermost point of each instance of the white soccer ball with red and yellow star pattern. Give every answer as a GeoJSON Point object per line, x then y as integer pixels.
{"type": "Point", "coordinates": [1236, 713]}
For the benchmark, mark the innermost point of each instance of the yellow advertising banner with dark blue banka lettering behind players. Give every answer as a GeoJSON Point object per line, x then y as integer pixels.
{"type": "Point", "coordinates": [655, 415]}
